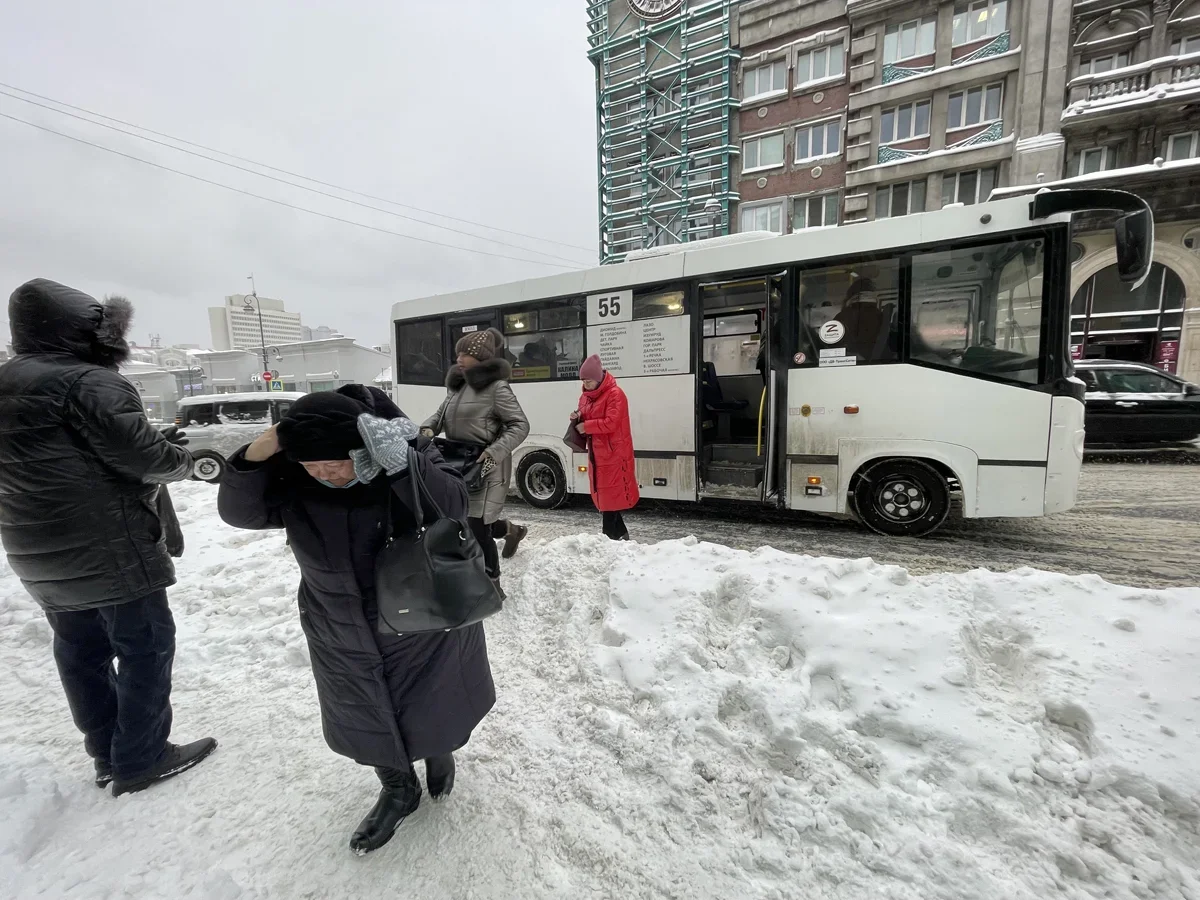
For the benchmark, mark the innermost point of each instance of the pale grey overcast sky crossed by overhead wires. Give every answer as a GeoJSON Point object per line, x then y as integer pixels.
{"type": "Point", "coordinates": [483, 110]}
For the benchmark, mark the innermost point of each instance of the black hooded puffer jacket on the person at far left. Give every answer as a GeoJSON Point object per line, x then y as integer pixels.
{"type": "Point", "coordinates": [80, 464]}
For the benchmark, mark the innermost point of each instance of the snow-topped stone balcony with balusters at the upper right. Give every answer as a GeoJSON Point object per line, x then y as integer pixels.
{"type": "Point", "coordinates": [1168, 80]}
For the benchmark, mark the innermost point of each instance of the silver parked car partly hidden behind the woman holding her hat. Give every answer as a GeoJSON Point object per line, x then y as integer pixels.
{"type": "Point", "coordinates": [219, 424]}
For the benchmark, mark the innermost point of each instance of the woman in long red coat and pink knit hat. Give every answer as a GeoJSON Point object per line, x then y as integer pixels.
{"type": "Point", "coordinates": [604, 418]}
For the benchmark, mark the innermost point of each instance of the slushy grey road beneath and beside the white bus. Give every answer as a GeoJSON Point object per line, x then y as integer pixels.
{"type": "Point", "coordinates": [1136, 524]}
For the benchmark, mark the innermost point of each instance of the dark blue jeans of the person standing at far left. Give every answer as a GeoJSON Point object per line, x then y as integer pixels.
{"type": "Point", "coordinates": [124, 713]}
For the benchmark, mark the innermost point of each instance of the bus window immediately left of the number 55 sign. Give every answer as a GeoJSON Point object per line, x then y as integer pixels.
{"type": "Point", "coordinates": [545, 343]}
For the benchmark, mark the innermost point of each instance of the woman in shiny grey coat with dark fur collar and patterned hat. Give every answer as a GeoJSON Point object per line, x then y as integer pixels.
{"type": "Point", "coordinates": [482, 410]}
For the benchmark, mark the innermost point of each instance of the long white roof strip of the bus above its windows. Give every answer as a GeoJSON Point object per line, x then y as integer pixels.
{"type": "Point", "coordinates": [701, 259]}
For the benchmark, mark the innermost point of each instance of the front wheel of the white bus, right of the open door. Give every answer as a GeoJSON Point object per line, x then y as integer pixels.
{"type": "Point", "coordinates": [902, 499]}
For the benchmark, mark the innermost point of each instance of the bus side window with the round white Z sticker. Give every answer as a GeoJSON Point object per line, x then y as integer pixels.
{"type": "Point", "coordinates": [849, 313]}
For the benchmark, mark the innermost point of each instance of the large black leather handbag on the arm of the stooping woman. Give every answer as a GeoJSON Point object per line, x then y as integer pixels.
{"type": "Point", "coordinates": [435, 579]}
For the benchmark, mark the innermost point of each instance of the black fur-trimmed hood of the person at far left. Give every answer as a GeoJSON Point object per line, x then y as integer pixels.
{"type": "Point", "coordinates": [47, 317]}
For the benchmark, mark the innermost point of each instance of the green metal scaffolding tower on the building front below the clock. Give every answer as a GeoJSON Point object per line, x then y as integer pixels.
{"type": "Point", "coordinates": [665, 106]}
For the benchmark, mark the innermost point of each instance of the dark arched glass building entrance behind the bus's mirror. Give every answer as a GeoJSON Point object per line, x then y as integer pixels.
{"type": "Point", "coordinates": [1109, 321]}
